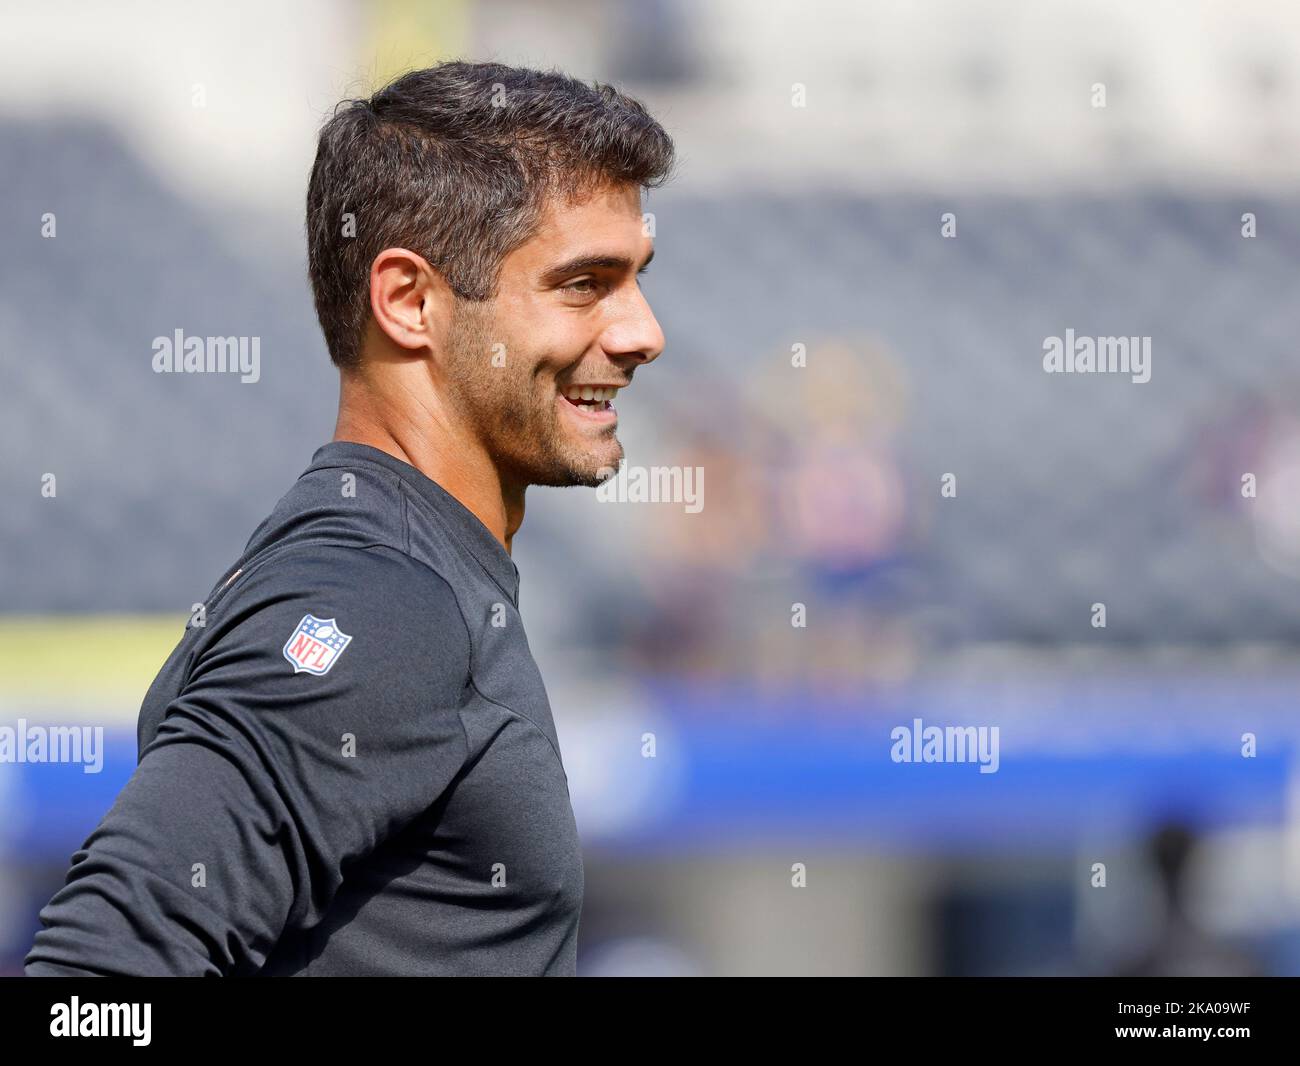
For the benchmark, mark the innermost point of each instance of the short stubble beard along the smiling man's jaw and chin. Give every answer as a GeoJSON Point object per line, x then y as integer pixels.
{"type": "Point", "coordinates": [506, 406]}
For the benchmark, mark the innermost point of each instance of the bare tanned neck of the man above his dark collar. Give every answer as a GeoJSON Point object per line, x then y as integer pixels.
{"type": "Point", "coordinates": [463, 470]}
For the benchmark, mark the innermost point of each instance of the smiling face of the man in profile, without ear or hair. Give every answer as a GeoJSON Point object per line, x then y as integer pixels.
{"type": "Point", "coordinates": [569, 317]}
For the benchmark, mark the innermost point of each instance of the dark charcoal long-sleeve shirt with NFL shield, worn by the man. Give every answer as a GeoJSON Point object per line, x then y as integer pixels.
{"type": "Point", "coordinates": [346, 768]}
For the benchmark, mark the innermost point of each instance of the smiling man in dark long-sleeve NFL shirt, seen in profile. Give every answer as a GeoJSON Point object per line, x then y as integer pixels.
{"type": "Point", "coordinates": [349, 764]}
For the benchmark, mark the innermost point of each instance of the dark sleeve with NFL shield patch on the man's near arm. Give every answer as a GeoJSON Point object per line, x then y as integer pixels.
{"type": "Point", "coordinates": [280, 762]}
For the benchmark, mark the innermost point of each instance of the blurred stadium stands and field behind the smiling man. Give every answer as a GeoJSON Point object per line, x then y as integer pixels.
{"type": "Point", "coordinates": [172, 142]}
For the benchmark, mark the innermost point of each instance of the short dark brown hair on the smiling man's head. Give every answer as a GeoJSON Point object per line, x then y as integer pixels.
{"type": "Point", "coordinates": [456, 164]}
